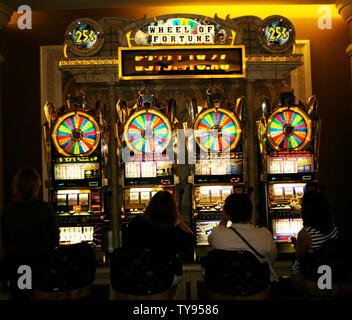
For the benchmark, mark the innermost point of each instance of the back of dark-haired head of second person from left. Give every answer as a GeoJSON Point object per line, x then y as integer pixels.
{"type": "Point", "coordinates": [162, 210]}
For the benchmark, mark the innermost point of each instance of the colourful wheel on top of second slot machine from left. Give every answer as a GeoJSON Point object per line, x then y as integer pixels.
{"type": "Point", "coordinates": [147, 130]}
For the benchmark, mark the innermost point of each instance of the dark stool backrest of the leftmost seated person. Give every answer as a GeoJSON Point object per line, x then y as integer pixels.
{"type": "Point", "coordinates": [66, 268]}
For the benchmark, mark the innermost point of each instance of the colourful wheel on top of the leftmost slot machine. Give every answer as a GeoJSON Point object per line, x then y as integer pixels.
{"type": "Point", "coordinates": [75, 133]}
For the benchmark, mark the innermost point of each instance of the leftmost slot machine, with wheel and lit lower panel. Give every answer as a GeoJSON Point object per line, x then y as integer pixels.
{"type": "Point", "coordinates": [77, 145]}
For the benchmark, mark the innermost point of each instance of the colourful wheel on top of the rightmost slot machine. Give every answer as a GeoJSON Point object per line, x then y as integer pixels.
{"type": "Point", "coordinates": [289, 128]}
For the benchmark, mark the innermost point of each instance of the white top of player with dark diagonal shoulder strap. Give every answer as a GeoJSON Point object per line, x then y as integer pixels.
{"type": "Point", "coordinates": [261, 239]}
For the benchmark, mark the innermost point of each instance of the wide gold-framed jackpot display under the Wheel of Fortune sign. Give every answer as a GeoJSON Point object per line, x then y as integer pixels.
{"type": "Point", "coordinates": [183, 62]}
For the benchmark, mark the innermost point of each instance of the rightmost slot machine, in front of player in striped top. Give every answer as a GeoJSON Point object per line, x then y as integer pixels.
{"type": "Point", "coordinates": [288, 140]}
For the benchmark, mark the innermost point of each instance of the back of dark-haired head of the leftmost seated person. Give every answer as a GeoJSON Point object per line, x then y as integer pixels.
{"type": "Point", "coordinates": [26, 184]}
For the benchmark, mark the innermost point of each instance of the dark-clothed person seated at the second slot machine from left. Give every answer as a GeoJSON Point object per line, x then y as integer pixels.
{"type": "Point", "coordinates": [161, 228]}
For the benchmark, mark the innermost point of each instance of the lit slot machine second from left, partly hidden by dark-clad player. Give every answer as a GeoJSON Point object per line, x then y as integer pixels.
{"type": "Point", "coordinates": [145, 146]}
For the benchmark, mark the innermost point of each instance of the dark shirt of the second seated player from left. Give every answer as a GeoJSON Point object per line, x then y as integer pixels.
{"type": "Point", "coordinates": [142, 234]}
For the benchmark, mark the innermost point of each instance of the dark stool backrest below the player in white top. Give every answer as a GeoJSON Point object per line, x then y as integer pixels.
{"type": "Point", "coordinates": [235, 273]}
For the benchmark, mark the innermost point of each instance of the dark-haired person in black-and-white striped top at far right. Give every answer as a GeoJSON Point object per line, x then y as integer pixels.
{"type": "Point", "coordinates": [318, 226]}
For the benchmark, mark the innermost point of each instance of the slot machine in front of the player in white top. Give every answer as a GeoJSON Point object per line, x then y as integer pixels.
{"type": "Point", "coordinates": [220, 163]}
